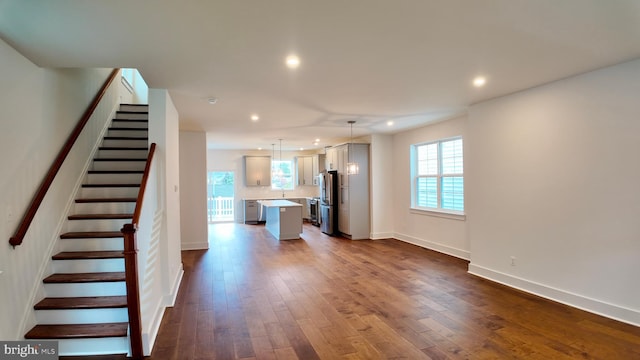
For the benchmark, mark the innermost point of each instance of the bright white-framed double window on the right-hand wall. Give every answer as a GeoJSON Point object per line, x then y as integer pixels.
{"type": "Point", "coordinates": [437, 172]}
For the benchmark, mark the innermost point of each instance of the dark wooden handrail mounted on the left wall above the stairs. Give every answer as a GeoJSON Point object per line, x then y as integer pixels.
{"type": "Point", "coordinates": [28, 216]}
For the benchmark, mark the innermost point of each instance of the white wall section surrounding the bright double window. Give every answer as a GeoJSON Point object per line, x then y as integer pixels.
{"type": "Point", "coordinates": [425, 229]}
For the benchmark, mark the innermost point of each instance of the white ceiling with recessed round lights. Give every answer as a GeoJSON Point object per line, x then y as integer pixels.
{"type": "Point", "coordinates": [373, 61]}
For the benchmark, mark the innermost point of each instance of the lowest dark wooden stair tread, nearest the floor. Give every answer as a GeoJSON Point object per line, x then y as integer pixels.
{"type": "Point", "coordinates": [78, 331]}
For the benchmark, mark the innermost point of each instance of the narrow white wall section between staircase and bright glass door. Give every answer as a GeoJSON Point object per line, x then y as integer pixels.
{"type": "Point", "coordinates": [193, 196]}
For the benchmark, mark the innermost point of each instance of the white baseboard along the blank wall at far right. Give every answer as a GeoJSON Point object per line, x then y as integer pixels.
{"type": "Point", "coordinates": [629, 316]}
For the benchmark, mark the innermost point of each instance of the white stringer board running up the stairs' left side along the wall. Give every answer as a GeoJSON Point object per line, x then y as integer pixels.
{"type": "Point", "coordinates": [46, 267]}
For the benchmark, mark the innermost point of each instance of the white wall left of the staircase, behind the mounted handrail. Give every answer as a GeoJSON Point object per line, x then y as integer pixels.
{"type": "Point", "coordinates": [39, 108]}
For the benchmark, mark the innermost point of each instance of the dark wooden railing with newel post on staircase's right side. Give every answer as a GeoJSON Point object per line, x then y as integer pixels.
{"type": "Point", "coordinates": [131, 265]}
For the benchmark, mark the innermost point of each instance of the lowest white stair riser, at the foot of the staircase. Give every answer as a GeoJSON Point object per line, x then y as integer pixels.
{"type": "Point", "coordinates": [77, 347]}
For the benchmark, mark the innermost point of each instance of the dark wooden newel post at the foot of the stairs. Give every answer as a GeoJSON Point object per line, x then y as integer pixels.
{"type": "Point", "coordinates": [133, 289]}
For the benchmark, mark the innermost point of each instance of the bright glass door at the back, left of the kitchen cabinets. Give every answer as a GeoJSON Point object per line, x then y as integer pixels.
{"type": "Point", "coordinates": [220, 196]}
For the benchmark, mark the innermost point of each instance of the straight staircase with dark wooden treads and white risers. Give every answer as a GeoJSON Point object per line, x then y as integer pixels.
{"type": "Point", "coordinates": [85, 307]}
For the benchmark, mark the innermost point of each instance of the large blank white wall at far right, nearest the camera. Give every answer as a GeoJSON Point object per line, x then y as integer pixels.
{"type": "Point", "coordinates": [552, 178]}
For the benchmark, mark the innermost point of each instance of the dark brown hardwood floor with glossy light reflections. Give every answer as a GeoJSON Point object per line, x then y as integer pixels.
{"type": "Point", "coordinates": [252, 297]}
